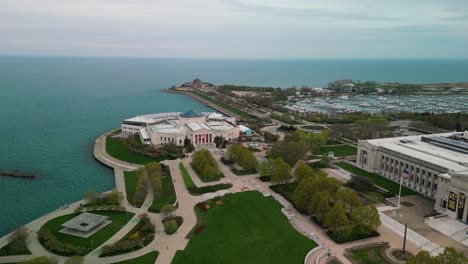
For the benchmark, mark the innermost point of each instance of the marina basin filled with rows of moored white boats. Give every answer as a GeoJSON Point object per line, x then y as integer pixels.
{"type": "Point", "coordinates": [381, 103]}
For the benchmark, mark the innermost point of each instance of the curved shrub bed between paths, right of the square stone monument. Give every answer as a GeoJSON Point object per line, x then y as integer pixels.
{"type": "Point", "coordinates": [145, 235]}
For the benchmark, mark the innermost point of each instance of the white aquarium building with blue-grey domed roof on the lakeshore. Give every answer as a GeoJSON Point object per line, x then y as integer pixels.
{"type": "Point", "coordinates": [165, 128]}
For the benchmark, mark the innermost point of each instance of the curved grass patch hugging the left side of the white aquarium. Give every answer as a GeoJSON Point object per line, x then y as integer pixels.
{"type": "Point", "coordinates": [118, 150]}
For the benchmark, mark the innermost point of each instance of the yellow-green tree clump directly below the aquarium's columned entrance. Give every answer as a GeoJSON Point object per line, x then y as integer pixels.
{"type": "Point", "coordinates": [205, 165]}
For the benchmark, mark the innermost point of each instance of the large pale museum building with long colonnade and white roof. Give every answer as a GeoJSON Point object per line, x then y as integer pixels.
{"type": "Point", "coordinates": [434, 165]}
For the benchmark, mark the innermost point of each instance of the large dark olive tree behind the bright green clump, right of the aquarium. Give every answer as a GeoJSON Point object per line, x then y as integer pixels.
{"type": "Point", "coordinates": [289, 151]}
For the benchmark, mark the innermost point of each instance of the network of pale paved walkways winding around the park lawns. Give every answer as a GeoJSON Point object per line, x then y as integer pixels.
{"type": "Point", "coordinates": [168, 245]}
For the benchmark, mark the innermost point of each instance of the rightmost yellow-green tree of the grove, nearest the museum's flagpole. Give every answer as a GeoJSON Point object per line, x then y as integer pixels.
{"type": "Point", "coordinates": [366, 219]}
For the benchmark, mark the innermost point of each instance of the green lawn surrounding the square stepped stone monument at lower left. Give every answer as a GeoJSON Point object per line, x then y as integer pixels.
{"type": "Point", "coordinates": [119, 219]}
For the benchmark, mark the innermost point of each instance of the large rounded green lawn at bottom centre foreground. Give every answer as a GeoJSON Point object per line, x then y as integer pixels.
{"type": "Point", "coordinates": [247, 228]}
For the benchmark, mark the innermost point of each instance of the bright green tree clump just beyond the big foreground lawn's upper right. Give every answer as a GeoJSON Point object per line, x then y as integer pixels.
{"type": "Point", "coordinates": [277, 169]}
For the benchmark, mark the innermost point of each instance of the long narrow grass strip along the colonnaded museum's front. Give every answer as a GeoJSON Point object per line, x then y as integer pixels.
{"type": "Point", "coordinates": [377, 179]}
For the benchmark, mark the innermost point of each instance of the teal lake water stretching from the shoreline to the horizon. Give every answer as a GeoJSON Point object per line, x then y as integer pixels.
{"type": "Point", "coordinates": [52, 109]}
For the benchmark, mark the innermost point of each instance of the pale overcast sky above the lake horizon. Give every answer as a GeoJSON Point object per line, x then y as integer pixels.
{"type": "Point", "coordinates": [236, 28]}
